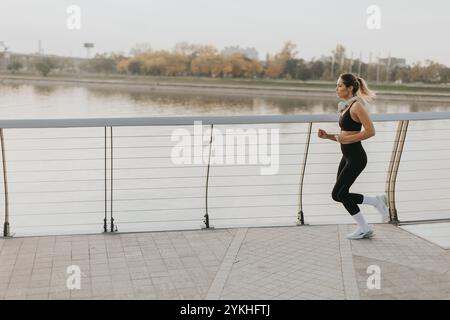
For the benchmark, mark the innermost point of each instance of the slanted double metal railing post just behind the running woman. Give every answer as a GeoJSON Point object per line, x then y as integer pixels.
{"type": "Point", "coordinates": [393, 168]}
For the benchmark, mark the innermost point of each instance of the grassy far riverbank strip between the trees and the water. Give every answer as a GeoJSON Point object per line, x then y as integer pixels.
{"type": "Point", "coordinates": [258, 87]}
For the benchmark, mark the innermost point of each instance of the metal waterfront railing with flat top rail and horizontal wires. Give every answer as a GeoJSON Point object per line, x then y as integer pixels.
{"type": "Point", "coordinates": [112, 161]}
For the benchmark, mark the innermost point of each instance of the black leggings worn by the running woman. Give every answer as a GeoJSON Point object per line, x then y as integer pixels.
{"type": "Point", "coordinates": [354, 160]}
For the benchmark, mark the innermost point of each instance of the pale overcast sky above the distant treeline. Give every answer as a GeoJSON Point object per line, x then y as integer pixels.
{"type": "Point", "coordinates": [415, 30]}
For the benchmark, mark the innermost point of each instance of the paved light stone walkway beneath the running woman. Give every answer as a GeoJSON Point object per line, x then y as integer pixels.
{"type": "Point", "coordinates": [311, 262]}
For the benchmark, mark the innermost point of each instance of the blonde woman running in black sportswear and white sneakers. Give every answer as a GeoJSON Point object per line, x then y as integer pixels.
{"type": "Point", "coordinates": [354, 93]}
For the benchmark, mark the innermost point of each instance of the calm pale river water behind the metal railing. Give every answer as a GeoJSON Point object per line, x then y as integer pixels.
{"type": "Point", "coordinates": [56, 177]}
